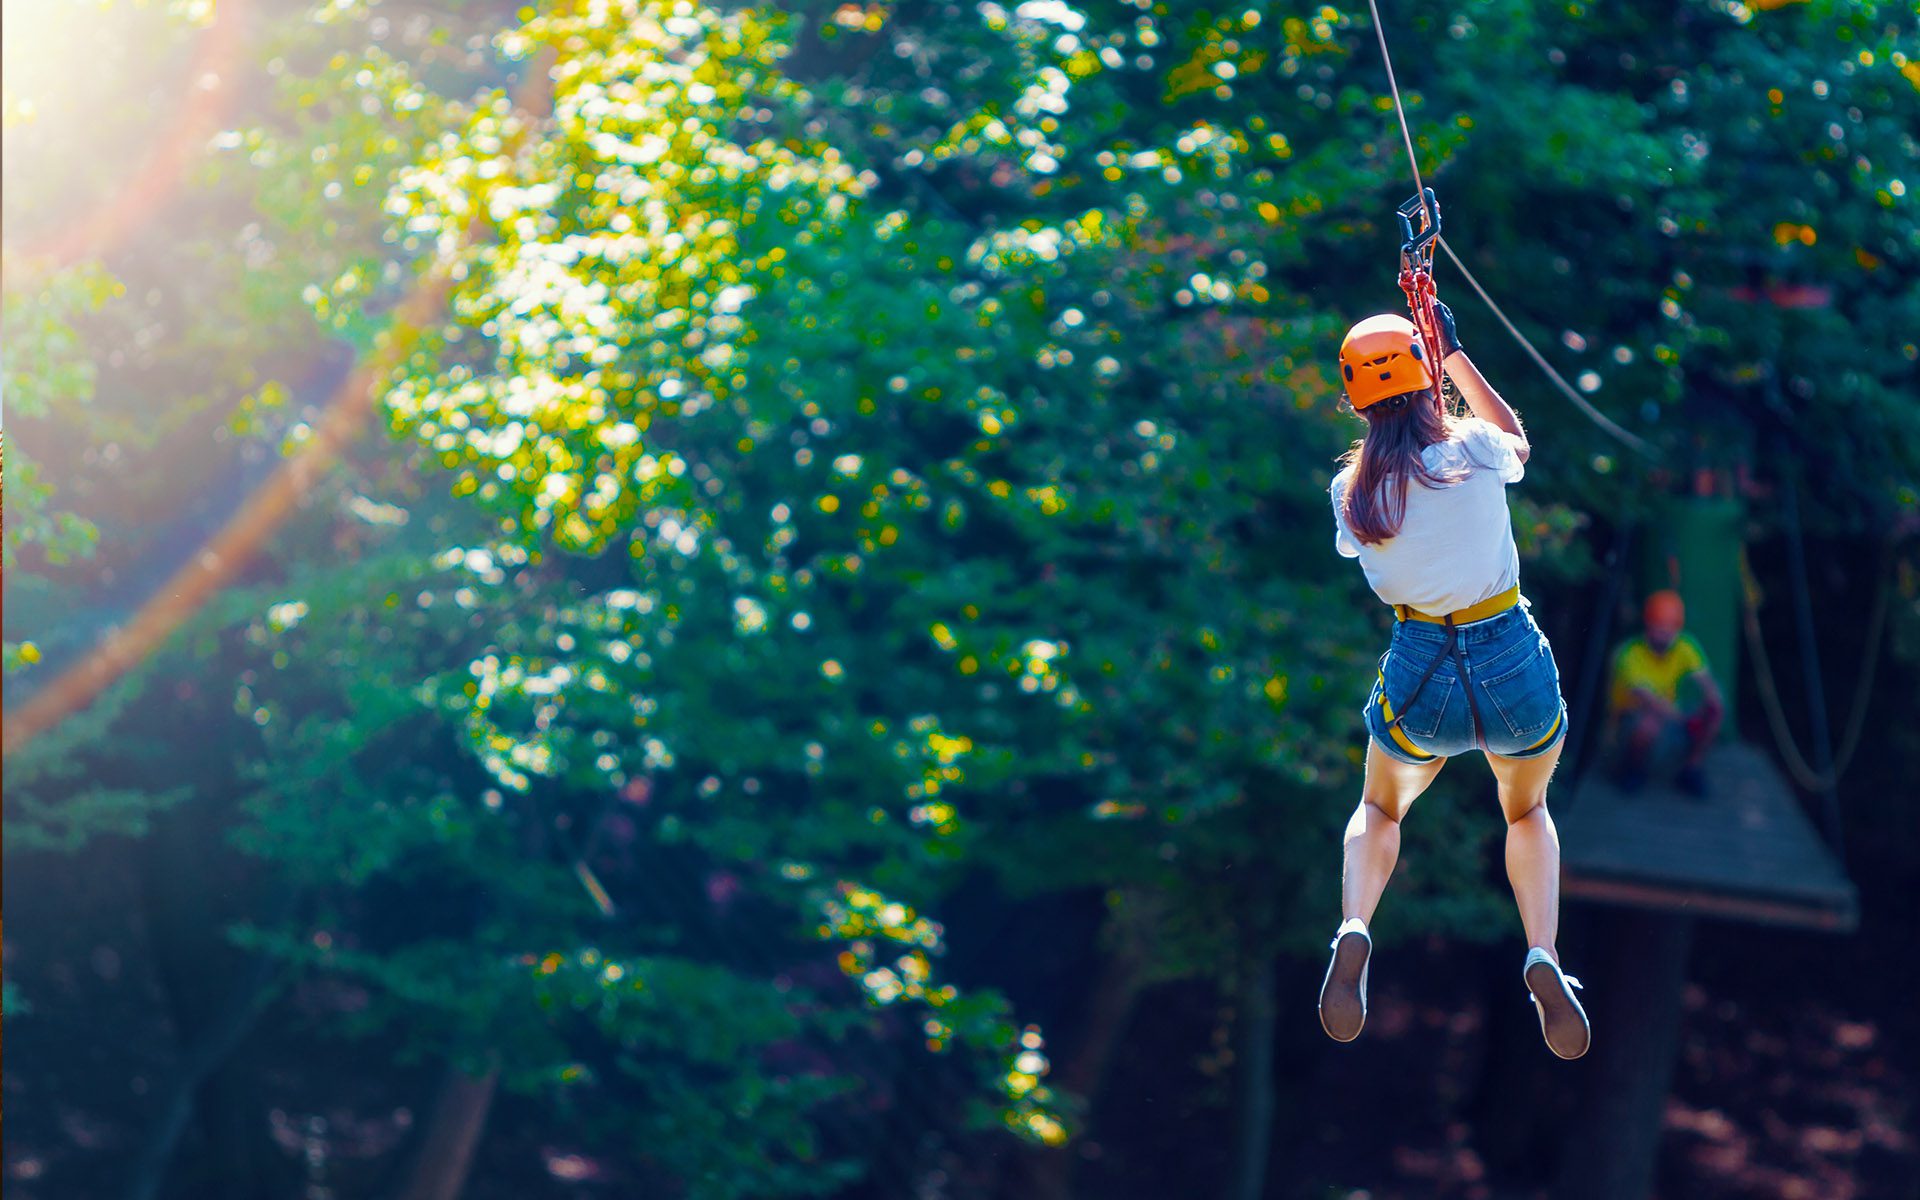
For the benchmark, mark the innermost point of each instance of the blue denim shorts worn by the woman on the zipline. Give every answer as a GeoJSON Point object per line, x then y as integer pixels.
{"type": "Point", "coordinates": [1510, 684]}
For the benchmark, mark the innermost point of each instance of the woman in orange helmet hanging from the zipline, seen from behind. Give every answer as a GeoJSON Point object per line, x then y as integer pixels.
{"type": "Point", "coordinates": [1422, 504]}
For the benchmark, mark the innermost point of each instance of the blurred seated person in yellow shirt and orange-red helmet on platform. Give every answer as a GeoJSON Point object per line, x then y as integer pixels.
{"type": "Point", "coordinates": [1646, 698]}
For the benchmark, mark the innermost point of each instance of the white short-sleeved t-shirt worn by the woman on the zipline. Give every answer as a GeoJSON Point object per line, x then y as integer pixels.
{"type": "Point", "coordinates": [1456, 544]}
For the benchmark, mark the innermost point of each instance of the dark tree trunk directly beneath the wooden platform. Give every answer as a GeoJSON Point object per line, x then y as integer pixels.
{"type": "Point", "coordinates": [1637, 1036]}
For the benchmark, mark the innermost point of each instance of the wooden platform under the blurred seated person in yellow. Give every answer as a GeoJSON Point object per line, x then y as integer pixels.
{"type": "Point", "coordinates": [1744, 853]}
